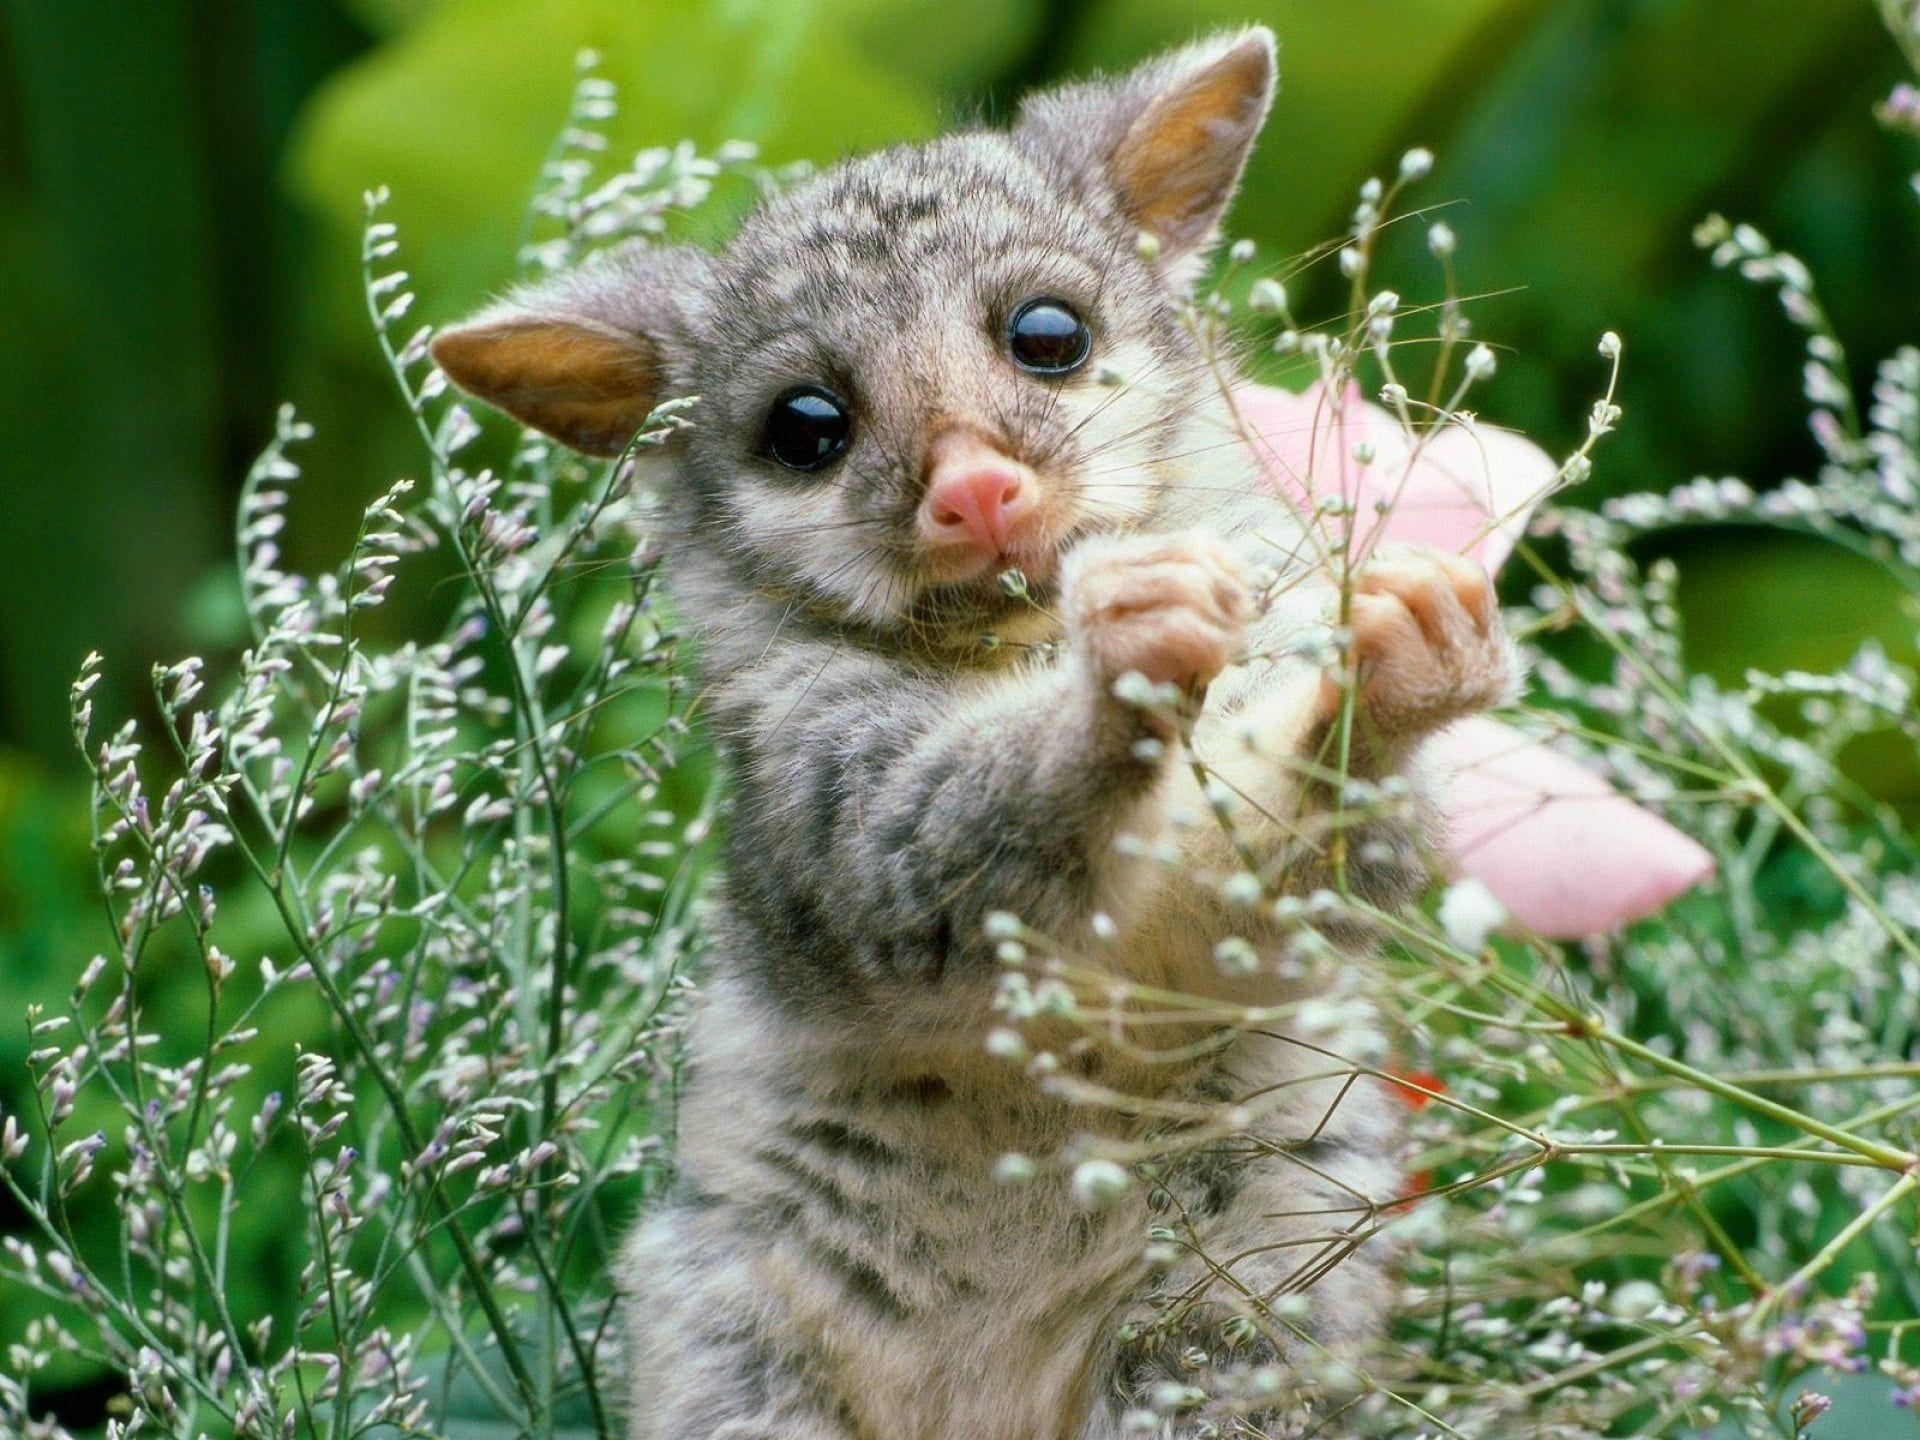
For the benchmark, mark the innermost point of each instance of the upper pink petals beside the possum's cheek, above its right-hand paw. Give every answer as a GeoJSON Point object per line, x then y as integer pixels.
{"type": "Point", "coordinates": [1468, 491]}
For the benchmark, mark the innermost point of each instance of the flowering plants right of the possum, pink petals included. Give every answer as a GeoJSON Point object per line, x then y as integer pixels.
{"type": "Point", "coordinates": [1596, 1130]}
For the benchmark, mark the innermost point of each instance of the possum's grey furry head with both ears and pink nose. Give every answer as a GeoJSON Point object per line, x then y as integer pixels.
{"type": "Point", "coordinates": [926, 366]}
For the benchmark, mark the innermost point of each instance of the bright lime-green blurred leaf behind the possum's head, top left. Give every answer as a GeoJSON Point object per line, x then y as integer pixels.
{"type": "Point", "coordinates": [456, 116]}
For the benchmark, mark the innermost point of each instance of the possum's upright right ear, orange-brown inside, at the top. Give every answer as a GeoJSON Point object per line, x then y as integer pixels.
{"type": "Point", "coordinates": [1170, 137]}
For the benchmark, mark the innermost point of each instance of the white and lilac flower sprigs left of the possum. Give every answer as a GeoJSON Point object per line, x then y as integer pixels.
{"type": "Point", "coordinates": [479, 852]}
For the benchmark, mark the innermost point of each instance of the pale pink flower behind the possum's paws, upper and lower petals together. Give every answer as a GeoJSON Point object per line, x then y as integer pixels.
{"type": "Point", "coordinates": [1556, 844]}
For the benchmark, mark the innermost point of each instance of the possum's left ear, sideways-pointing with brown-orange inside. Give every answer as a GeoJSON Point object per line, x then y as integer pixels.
{"type": "Point", "coordinates": [581, 356]}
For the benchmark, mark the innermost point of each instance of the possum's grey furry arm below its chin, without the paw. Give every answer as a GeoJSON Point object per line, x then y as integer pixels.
{"type": "Point", "coordinates": [915, 807]}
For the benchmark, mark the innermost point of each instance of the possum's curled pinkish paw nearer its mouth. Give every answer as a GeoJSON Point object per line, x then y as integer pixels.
{"type": "Point", "coordinates": [1168, 608]}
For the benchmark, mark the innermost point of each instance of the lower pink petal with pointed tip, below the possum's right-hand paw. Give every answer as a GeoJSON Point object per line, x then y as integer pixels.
{"type": "Point", "coordinates": [1556, 844]}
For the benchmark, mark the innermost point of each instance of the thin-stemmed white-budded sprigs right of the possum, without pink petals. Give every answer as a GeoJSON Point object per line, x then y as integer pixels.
{"type": "Point", "coordinates": [1583, 1116]}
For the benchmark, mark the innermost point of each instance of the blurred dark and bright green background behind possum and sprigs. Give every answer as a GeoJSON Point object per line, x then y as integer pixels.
{"type": "Point", "coordinates": [180, 239]}
